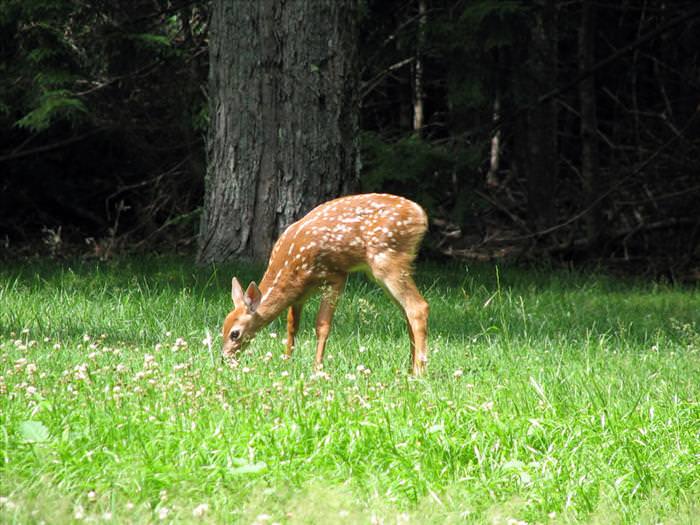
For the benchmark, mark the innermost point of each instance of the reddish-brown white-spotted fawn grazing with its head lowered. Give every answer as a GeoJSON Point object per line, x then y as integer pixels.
{"type": "Point", "coordinates": [377, 233]}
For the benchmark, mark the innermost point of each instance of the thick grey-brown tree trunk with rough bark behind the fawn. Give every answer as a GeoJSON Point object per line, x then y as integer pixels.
{"type": "Point", "coordinates": [284, 119]}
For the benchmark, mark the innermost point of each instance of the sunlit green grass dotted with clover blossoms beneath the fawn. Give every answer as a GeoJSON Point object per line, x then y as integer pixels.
{"type": "Point", "coordinates": [550, 397]}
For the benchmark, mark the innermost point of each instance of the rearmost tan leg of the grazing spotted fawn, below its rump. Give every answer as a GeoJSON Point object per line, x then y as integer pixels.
{"type": "Point", "coordinates": [399, 283]}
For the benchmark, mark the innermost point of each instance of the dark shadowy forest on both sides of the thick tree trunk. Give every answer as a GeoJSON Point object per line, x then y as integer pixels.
{"type": "Point", "coordinates": [554, 132]}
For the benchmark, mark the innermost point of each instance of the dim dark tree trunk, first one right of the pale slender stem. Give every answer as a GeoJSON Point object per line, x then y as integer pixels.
{"type": "Point", "coordinates": [542, 137]}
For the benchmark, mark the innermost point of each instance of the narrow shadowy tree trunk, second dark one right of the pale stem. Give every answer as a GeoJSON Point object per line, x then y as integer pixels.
{"type": "Point", "coordinates": [589, 125]}
